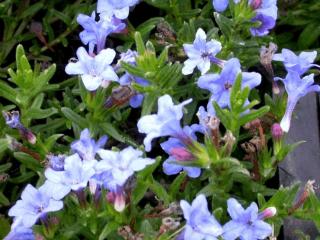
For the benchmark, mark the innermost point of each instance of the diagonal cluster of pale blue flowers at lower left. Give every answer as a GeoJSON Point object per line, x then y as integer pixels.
{"type": "Point", "coordinates": [73, 174]}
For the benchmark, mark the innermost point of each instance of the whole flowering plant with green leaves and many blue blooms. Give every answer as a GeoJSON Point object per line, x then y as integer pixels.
{"type": "Point", "coordinates": [163, 130]}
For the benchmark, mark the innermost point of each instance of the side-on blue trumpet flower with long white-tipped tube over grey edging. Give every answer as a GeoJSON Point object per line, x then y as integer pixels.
{"type": "Point", "coordinates": [296, 89]}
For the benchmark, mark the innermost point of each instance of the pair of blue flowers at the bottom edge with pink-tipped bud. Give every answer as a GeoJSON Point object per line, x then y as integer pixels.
{"type": "Point", "coordinates": [245, 223]}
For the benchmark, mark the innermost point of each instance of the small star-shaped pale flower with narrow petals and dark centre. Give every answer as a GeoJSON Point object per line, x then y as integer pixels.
{"type": "Point", "coordinates": [201, 53]}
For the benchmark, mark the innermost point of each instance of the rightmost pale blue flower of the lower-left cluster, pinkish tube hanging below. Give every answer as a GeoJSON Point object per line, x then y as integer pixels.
{"type": "Point", "coordinates": [116, 168]}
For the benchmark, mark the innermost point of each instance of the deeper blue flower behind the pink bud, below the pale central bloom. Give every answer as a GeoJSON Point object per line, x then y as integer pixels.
{"type": "Point", "coordinates": [178, 151]}
